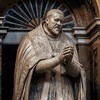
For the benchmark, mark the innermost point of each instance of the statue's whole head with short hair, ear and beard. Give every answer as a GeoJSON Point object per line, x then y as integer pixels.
{"type": "Point", "coordinates": [54, 20]}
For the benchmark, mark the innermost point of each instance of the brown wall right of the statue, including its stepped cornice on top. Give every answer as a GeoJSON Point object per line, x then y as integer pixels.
{"type": "Point", "coordinates": [89, 55]}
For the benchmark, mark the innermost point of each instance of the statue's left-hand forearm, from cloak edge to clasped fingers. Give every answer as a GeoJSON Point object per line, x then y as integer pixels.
{"type": "Point", "coordinates": [49, 64]}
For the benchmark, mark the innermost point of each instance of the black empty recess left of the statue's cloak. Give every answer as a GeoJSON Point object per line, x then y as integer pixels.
{"type": "Point", "coordinates": [8, 63]}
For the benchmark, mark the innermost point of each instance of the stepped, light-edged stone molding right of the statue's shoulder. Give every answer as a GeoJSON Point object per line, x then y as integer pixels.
{"type": "Point", "coordinates": [87, 35]}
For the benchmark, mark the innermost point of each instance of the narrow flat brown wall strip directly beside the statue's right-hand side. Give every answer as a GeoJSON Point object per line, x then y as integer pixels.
{"type": "Point", "coordinates": [84, 57]}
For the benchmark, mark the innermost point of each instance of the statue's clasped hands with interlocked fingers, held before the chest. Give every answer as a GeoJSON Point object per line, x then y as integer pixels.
{"type": "Point", "coordinates": [66, 54]}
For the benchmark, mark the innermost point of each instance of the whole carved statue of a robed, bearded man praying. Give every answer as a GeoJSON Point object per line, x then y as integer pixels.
{"type": "Point", "coordinates": [47, 65]}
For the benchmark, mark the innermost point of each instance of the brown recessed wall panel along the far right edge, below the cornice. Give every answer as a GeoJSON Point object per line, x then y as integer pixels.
{"type": "Point", "coordinates": [96, 66]}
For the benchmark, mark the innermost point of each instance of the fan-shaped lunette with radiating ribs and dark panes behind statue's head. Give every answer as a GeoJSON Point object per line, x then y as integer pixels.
{"type": "Point", "coordinates": [28, 14]}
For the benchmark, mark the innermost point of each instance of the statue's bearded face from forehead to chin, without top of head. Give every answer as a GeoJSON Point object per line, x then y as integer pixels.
{"type": "Point", "coordinates": [54, 23]}
